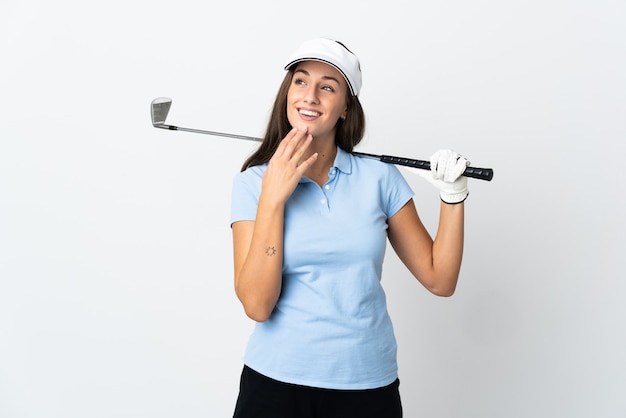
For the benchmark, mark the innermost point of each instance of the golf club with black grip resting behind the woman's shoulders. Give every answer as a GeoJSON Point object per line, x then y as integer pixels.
{"type": "Point", "coordinates": [160, 107]}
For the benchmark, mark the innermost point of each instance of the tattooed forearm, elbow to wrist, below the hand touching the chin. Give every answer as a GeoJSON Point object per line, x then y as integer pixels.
{"type": "Point", "coordinates": [258, 280]}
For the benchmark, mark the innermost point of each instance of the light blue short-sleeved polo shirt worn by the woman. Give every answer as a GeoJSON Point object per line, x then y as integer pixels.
{"type": "Point", "coordinates": [330, 327]}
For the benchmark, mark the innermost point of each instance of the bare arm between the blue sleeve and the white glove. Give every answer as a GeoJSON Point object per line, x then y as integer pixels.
{"type": "Point", "coordinates": [434, 263]}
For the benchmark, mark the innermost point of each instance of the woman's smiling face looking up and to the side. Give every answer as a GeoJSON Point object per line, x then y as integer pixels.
{"type": "Point", "coordinates": [317, 98]}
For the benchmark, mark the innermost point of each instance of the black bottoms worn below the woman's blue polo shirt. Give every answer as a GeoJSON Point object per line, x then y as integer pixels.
{"type": "Point", "coordinates": [262, 397]}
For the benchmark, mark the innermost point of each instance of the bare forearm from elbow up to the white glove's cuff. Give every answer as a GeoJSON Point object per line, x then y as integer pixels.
{"type": "Point", "coordinates": [448, 247]}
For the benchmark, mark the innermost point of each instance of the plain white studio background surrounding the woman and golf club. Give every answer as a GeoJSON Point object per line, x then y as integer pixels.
{"type": "Point", "coordinates": [116, 294]}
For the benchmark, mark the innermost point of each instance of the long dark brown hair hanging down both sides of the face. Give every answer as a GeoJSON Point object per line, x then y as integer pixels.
{"type": "Point", "coordinates": [348, 134]}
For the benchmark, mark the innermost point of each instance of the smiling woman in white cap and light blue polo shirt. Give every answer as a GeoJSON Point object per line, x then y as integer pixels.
{"type": "Point", "coordinates": [310, 223]}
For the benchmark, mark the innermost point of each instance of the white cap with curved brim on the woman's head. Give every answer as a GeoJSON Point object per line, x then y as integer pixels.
{"type": "Point", "coordinates": [330, 52]}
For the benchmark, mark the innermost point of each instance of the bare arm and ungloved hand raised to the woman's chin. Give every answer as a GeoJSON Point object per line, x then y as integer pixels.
{"type": "Point", "coordinates": [258, 245]}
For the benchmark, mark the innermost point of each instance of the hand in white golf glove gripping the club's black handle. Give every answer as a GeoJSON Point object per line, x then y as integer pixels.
{"type": "Point", "coordinates": [446, 167]}
